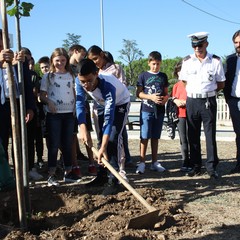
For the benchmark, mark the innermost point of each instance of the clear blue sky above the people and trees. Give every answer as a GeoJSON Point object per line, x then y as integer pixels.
{"type": "Point", "coordinates": [161, 25]}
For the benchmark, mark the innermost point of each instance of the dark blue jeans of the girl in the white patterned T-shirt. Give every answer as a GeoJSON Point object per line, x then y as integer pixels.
{"type": "Point", "coordinates": [60, 128]}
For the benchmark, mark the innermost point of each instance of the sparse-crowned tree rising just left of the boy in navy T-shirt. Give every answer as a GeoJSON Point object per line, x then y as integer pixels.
{"type": "Point", "coordinates": [129, 54]}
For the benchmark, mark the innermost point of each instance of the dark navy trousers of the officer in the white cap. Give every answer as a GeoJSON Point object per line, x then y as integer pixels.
{"type": "Point", "coordinates": [198, 114]}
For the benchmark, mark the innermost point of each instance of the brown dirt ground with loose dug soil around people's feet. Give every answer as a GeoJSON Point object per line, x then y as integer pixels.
{"type": "Point", "coordinates": [189, 208]}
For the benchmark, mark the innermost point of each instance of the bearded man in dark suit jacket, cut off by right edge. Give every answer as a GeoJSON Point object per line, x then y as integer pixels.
{"type": "Point", "coordinates": [232, 92]}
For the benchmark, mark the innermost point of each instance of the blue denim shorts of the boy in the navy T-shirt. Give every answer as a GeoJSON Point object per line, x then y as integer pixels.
{"type": "Point", "coordinates": [151, 127]}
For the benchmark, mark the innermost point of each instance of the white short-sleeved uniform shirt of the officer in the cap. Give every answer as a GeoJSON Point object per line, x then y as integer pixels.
{"type": "Point", "coordinates": [202, 77]}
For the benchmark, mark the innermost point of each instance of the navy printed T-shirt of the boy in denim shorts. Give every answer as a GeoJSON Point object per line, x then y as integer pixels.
{"type": "Point", "coordinates": [152, 83]}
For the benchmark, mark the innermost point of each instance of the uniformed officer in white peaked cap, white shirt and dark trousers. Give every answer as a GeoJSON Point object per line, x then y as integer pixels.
{"type": "Point", "coordinates": [204, 76]}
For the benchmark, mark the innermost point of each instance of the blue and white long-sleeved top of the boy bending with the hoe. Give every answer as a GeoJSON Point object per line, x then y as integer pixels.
{"type": "Point", "coordinates": [110, 92]}
